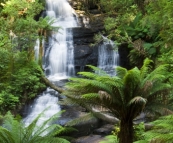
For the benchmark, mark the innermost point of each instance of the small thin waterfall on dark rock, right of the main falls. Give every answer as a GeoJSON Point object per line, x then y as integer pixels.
{"type": "Point", "coordinates": [108, 58]}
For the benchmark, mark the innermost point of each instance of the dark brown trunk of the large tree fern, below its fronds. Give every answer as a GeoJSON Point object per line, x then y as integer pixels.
{"type": "Point", "coordinates": [126, 131]}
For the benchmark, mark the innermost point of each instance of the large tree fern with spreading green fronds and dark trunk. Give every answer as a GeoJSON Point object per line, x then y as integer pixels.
{"type": "Point", "coordinates": [125, 95]}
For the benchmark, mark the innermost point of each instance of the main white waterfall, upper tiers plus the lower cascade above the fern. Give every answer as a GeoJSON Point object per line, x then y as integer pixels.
{"type": "Point", "coordinates": [58, 57]}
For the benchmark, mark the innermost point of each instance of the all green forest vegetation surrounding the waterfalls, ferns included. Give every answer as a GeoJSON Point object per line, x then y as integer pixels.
{"type": "Point", "coordinates": [144, 27]}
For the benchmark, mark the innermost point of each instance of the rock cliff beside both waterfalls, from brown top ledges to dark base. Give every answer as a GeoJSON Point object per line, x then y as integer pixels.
{"type": "Point", "coordinates": [89, 25]}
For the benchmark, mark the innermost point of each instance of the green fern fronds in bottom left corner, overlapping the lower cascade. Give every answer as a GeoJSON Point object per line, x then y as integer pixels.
{"type": "Point", "coordinates": [14, 131]}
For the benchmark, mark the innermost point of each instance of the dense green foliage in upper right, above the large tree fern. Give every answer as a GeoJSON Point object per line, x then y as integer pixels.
{"type": "Point", "coordinates": [150, 21]}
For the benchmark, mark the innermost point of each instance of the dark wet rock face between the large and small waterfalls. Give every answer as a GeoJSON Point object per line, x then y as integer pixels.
{"type": "Point", "coordinates": [84, 54]}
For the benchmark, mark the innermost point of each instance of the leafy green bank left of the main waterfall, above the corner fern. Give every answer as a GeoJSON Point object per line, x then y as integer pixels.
{"type": "Point", "coordinates": [20, 76]}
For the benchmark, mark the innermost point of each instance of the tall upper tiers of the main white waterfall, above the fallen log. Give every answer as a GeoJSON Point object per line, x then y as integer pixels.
{"type": "Point", "coordinates": [60, 51]}
